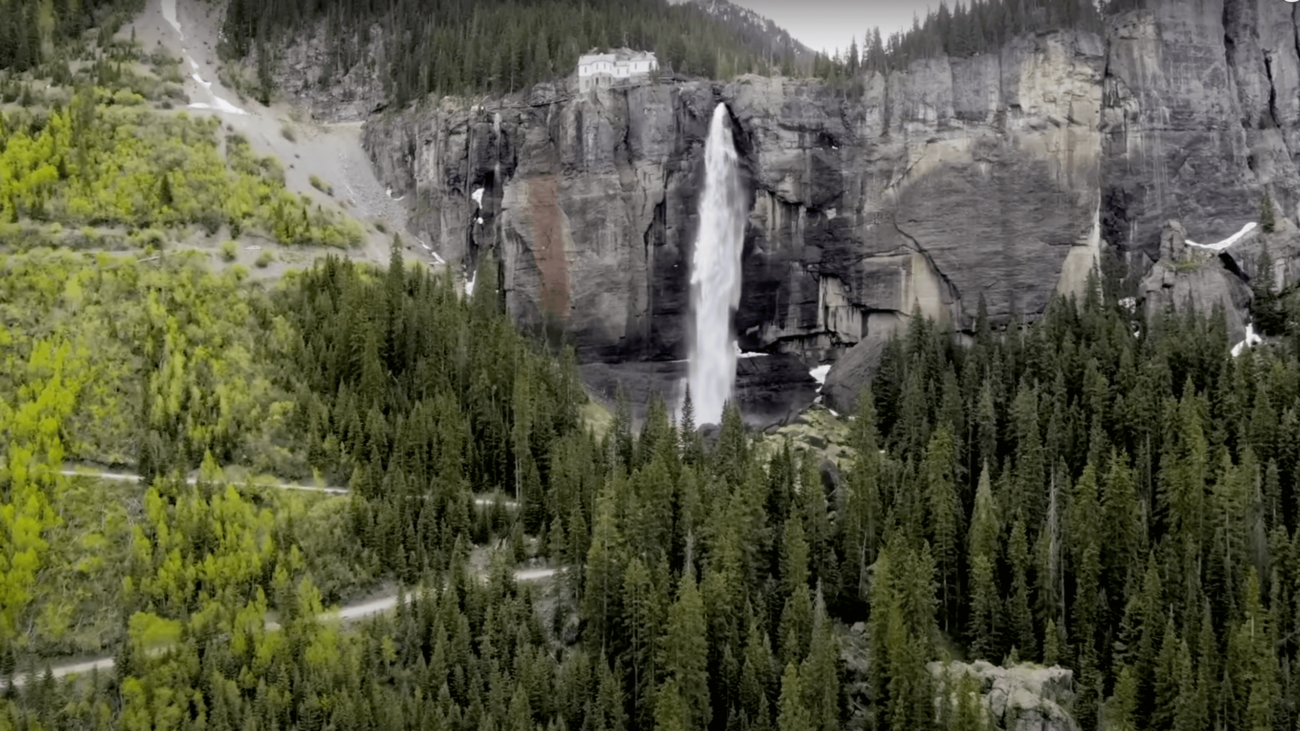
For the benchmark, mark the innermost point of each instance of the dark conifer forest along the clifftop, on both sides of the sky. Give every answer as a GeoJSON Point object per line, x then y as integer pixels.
{"type": "Point", "coordinates": [462, 49]}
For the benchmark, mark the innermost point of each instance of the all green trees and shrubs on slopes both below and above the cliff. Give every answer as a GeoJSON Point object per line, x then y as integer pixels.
{"type": "Point", "coordinates": [1099, 490]}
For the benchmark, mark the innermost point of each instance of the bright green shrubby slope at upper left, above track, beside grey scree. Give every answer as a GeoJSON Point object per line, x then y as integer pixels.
{"type": "Point", "coordinates": [107, 159]}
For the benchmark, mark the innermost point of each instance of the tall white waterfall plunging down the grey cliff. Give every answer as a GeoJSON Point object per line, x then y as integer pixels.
{"type": "Point", "coordinates": [716, 274]}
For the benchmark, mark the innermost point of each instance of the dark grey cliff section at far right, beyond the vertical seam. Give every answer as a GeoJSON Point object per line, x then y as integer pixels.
{"type": "Point", "coordinates": [1202, 115]}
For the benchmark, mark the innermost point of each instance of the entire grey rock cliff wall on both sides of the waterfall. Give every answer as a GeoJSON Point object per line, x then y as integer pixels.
{"type": "Point", "coordinates": [999, 176]}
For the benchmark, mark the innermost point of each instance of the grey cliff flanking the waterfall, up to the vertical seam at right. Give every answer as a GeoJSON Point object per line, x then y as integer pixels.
{"type": "Point", "coordinates": [916, 197]}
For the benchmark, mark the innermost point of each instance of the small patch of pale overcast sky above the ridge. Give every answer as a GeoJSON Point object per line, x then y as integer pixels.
{"type": "Point", "coordinates": [833, 24]}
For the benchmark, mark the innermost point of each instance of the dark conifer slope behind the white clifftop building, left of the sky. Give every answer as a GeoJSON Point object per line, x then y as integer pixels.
{"type": "Point", "coordinates": [497, 46]}
